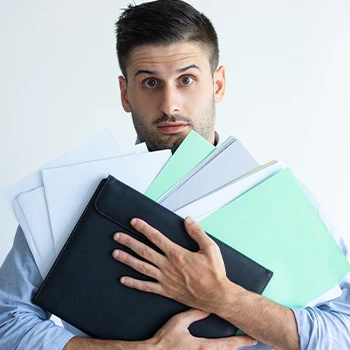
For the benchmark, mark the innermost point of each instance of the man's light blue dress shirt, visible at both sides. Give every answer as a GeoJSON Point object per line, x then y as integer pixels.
{"type": "Point", "coordinates": [24, 325]}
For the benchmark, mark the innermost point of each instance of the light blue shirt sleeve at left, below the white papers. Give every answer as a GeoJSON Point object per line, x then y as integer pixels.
{"type": "Point", "coordinates": [24, 325]}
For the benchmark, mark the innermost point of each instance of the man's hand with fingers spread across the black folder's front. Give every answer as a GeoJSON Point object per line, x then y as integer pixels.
{"type": "Point", "coordinates": [196, 279]}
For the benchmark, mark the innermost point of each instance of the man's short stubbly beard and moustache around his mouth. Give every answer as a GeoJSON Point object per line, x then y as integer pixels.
{"type": "Point", "coordinates": [204, 125]}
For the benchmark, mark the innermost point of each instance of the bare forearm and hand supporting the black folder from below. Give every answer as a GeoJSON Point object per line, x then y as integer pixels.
{"type": "Point", "coordinates": [173, 335]}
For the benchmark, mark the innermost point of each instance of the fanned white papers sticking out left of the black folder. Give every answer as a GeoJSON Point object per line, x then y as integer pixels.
{"type": "Point", "coordinates": [49, 202]}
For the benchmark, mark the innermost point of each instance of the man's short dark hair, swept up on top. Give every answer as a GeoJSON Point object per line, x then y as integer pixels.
{"type": "Point", "coordinates": [164, 22]}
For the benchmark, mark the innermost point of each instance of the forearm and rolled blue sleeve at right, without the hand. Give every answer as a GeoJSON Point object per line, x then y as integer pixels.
{"type": "Point", "coordinates": [324, 327]}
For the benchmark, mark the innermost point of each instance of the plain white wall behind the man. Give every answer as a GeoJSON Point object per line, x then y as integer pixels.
{"type": "Point", "coordinates": [288, 87]}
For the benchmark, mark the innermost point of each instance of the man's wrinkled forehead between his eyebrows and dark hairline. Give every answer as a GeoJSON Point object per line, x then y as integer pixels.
{"type": "Point", "coordinates": [172, 57]}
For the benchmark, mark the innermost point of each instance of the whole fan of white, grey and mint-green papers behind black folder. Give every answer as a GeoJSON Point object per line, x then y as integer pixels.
{"type": "Point", "coordinates": [261, 211]}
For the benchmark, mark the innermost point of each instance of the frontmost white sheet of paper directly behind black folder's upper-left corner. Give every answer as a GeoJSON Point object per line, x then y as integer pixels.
{"type": "Point", "coordinates": [69, 189]}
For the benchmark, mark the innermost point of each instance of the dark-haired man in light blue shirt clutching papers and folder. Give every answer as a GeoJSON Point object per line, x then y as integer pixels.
{"type": "Point", "coordinates": [168, 55]}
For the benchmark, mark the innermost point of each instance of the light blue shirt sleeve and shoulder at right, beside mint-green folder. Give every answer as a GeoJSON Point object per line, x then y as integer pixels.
{"type": "Point", "coordinates": [327, 326]}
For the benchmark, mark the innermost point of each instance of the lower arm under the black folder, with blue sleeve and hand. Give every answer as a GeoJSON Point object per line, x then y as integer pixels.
{"type": "Point", "coordinates": [24, 325]}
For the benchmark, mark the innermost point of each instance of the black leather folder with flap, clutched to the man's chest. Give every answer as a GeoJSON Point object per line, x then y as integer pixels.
{"type": "Point", "coordinates": [83, 287]}
